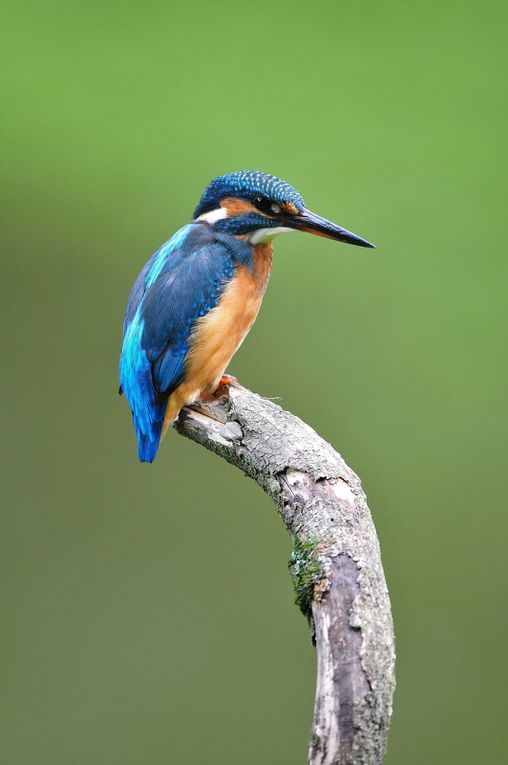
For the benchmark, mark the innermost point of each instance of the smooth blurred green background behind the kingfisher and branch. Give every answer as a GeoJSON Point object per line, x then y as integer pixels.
{"type": "Point", "coordinates": [147, 612]}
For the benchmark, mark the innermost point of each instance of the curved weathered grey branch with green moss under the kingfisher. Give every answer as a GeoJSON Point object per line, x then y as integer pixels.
{"type": "Point", "coordinates": [336, 565]}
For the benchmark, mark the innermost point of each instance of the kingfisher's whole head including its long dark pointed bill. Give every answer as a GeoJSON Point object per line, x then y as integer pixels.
{"type": "Point", "coordinates": [259, 206]}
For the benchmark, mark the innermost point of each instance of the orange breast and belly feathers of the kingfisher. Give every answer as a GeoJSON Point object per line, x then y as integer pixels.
{"type": "Point", "coordinates": [220, 333]}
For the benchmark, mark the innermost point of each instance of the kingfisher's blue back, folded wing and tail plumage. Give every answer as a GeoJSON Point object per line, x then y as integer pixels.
{"type": "Point", "coordinates": [181, 282]}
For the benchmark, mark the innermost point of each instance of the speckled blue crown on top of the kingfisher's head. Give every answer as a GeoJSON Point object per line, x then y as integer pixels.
{"type": "Point", "coordinates": [247, 184]}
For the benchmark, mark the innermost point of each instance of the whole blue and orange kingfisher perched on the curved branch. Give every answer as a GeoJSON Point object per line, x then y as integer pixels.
{"type": "Point", "coordinates": [197, 297]}
